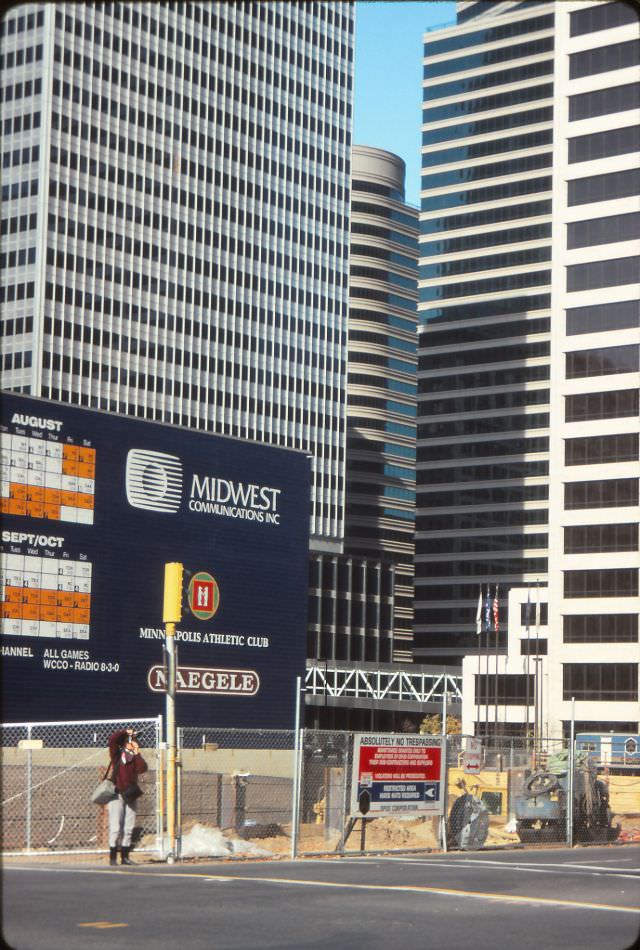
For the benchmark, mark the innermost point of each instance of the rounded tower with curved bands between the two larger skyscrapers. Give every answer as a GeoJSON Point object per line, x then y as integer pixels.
{"type": "Point", "coordinates": [381, 390]}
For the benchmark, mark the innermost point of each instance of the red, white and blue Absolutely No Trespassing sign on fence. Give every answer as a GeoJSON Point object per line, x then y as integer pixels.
{"type": "Point", "coordinates": [396, 774]}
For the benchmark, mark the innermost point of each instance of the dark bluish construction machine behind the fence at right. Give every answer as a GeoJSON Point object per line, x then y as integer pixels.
{"type": "Point", "coordinates": [541, 809]}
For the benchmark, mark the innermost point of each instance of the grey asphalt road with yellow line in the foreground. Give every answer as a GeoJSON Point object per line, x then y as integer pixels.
{"type": "Point", "coordinates": [525, 900]}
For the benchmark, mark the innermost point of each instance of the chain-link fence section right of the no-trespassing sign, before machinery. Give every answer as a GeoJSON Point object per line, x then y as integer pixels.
{"type": "Point", "coordinates": [519, 793]}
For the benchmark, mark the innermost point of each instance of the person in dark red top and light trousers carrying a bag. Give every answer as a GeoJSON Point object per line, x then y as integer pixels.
{"type": "Point", "coordinates": [127, 765]}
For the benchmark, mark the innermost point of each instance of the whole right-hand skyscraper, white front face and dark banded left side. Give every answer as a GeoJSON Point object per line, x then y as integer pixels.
{"type": "Point", "coordinates": [528, 363]}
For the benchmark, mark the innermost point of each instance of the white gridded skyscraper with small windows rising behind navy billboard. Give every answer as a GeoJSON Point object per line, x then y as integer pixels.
{"type": "Point", "coordinates": [175, 202]}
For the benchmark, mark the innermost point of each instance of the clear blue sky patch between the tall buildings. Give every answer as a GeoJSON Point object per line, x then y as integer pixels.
{"type": "Point", "coordinates": [388, 77]}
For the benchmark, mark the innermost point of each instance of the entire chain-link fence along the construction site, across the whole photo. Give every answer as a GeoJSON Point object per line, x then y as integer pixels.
{"type": "Point", "coordinates": [261, 793]}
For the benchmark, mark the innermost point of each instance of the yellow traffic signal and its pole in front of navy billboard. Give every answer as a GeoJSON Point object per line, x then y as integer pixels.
{"type": "Point", "coordinates": [172, 613]}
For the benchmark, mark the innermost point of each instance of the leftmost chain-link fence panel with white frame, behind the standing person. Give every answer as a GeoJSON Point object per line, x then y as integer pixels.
{"type": "Point", "coordinates": [49, 772]}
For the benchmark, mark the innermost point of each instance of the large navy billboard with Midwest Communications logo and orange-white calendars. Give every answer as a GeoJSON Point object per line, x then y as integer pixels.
{"type": "Point", "coordinates": [93, 506]}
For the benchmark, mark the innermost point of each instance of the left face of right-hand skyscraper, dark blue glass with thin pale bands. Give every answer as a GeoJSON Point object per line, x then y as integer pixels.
{"type": "Point", "coordinates": [483, 365]}
